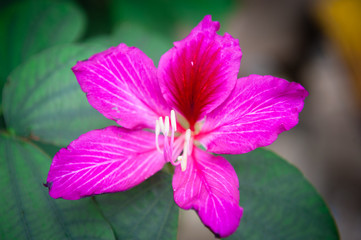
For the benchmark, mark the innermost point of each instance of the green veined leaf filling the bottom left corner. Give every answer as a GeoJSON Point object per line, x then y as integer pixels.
{"type": "Point", "coordinates": [26, 209]}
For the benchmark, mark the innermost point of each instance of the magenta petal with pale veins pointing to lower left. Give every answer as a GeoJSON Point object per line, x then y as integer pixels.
{"type": "Point", "coordinates": [102, 161]}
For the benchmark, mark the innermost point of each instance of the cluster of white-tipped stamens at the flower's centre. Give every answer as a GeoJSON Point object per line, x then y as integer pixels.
{"type": "Point", "coordinates": [173, 148]}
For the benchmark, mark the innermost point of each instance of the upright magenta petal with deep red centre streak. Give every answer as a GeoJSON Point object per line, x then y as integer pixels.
{"type": "Point", "coordinates": [199, 72]}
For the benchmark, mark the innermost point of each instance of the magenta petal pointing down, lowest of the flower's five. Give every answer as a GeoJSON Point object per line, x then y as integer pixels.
{"type": "Point", "coordinates": [209, 185]}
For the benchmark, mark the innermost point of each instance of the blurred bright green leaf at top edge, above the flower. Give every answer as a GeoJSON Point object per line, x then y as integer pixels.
{"type": "Point", "coordinates": [164, 16]}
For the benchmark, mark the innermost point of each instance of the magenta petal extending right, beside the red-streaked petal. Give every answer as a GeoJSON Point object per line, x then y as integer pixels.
{"type": "Point", "coordinates": [259, 108]}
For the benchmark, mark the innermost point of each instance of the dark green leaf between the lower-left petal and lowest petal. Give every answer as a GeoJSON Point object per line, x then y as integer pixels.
{"type": "Point", "coordinates": [147, 211]}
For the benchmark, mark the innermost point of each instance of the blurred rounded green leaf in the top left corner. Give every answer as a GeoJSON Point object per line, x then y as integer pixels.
{"type": "Point", "coordinates": [28, 27]}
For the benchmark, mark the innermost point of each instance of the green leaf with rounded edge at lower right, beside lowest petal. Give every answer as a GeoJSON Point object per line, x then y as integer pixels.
{"type": "Point", "coordinates": [278, 202]}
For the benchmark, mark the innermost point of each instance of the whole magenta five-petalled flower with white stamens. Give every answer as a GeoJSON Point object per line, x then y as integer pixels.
{"type": "Point", "coordinates": [192, 99]}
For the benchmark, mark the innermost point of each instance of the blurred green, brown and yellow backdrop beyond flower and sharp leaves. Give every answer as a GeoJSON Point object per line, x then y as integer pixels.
{"type": "Point", "coordinates": [314, 42]}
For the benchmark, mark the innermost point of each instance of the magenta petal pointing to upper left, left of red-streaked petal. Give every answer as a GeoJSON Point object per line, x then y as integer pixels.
{"type": "Point", "coordinates": [121, 83]}
